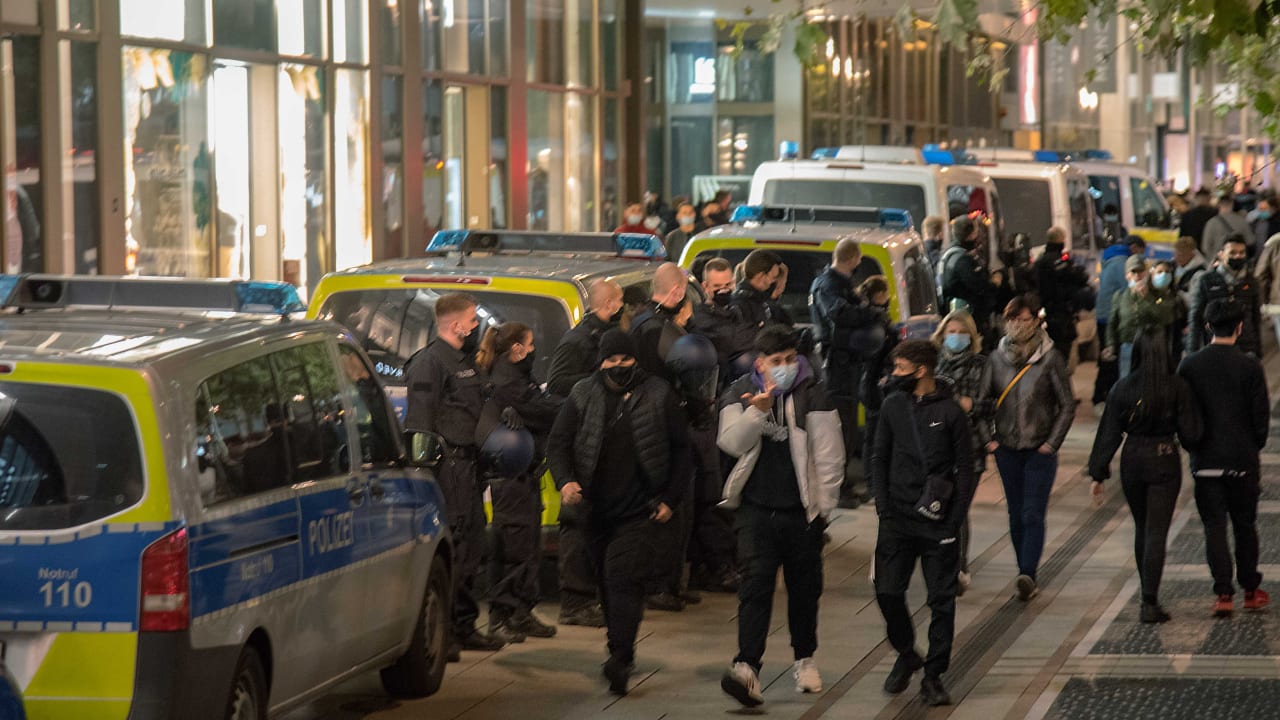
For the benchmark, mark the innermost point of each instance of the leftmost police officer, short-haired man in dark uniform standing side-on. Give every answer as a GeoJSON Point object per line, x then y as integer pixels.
{"type": "Point", "coordinates": [445, 398]}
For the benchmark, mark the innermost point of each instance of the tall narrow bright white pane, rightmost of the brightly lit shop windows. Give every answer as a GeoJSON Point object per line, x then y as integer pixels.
{"type": "Point", "coordinates": [350, 160]}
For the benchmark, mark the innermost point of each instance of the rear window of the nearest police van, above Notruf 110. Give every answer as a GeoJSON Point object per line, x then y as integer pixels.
{"type": "Point", "coordinates": [68, 457]}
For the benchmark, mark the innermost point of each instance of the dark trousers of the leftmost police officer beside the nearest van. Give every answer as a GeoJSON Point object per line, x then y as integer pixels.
{"type": "Point", "coordinates": [465, 507]}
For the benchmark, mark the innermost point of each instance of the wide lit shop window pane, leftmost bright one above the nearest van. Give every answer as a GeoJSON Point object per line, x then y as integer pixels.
{"type": "Point", "coordinates": [167, 179]}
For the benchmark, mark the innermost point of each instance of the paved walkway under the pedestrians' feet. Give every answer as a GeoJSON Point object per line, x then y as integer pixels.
{"type": "Point", "coordinates": [1076, 651]}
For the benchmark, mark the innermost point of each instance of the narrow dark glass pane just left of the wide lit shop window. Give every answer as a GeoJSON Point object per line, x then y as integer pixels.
{"type": "Point", "coordinates": [81, 183]}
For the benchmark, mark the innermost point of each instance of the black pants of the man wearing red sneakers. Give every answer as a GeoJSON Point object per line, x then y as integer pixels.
{"type": "Point", "coordinates": [1236, 499]}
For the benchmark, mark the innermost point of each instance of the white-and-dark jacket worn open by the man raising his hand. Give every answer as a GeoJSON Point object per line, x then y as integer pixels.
{"type": "Point", "coordinates": [815, 436]}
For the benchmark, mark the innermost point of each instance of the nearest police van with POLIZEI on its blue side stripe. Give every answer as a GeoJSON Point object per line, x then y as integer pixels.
{"type": "Point", "coordinates": [205, 514]}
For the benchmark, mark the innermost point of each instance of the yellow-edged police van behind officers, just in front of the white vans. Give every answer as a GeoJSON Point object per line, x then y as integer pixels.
{"type": "Point", "coordinates": [806, 239]}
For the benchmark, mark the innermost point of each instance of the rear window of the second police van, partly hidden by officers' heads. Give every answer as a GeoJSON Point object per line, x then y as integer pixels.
{"type": "Point", "coordinates": [394, 325]}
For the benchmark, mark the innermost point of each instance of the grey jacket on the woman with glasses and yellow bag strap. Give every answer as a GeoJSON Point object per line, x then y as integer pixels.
{"type": "Point", "coordinates": [1040, 409]}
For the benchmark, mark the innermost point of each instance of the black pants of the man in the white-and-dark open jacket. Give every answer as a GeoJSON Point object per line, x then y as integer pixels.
{"type": "Point", "coordinates": [769, 540]}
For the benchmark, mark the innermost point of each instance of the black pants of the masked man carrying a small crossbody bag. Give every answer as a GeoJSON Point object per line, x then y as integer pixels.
{"type": "Point", "coordinates": [899, 545]}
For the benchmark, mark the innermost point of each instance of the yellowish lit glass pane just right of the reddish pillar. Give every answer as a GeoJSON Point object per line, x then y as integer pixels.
{"type": "Point", "coordinates": [546, 161]}
